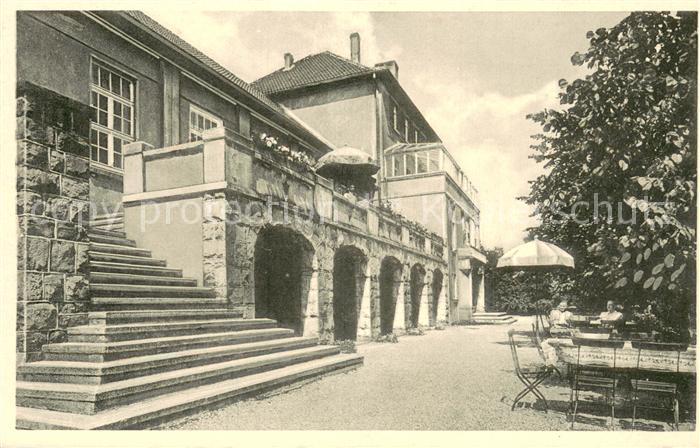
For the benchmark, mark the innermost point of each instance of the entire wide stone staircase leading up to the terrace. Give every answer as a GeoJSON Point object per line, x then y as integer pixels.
{"type": "Point", "coordinates": [157, 345]}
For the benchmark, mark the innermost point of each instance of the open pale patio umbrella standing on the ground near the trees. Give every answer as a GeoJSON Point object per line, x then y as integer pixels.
{"type": "Point", "coordinates": [536, 256]}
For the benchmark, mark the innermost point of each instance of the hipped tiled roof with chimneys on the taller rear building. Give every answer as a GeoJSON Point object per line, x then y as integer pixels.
{"type": "Point", "coordinates": [314, 69]}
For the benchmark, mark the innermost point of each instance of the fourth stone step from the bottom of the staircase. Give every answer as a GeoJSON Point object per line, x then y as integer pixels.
{"type": "Point", "coordinates": [110, 351]}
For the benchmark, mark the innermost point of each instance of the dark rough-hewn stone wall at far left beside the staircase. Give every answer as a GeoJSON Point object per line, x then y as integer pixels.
{"type": "Point", "coordinates": [53, 170]}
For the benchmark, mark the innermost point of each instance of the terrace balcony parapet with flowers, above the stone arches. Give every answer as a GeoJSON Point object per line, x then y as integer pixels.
{"type": "Point", "coordinates": [228, 162]}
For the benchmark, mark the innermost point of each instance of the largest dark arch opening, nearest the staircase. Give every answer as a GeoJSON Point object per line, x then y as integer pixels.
{"type": "Point", "coordinates": [284, 266]}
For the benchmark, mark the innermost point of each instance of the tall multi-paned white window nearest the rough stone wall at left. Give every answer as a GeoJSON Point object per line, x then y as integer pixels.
{"type": "Point", "coordinates": [112, 125]}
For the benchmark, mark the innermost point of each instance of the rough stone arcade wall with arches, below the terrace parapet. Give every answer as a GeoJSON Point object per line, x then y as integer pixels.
{"type": "Point", "coordinates": [235, 240]}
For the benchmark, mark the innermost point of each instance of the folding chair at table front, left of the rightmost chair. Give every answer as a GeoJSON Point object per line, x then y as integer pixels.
{"type": "Point", "coordinates": [596, 378]}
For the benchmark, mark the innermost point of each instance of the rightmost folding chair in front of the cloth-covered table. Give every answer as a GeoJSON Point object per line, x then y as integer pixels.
{"type": "Point", "coordinates": [655, 382]}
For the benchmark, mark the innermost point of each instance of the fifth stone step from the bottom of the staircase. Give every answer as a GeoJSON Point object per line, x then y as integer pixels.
{"type": "Point", "coordinates": [135, 331]}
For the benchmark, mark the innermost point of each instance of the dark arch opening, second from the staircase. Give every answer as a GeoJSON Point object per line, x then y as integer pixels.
{"type": "Point", "coordinates": [349, 269]}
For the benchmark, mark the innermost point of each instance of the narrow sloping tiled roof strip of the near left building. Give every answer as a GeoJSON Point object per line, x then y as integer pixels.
{"type": "Point", "coordinates": [174, 39]}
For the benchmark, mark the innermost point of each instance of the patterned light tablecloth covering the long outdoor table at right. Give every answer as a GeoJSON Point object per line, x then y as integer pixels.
{"type": "Point", "coordinates": [625, 358]}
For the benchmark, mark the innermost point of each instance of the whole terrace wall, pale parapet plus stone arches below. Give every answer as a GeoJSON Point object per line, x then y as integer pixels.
{"type": "Point", "coordinates": [236, 209]}
